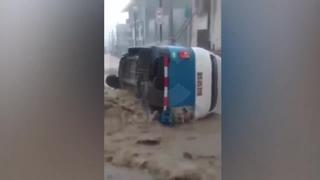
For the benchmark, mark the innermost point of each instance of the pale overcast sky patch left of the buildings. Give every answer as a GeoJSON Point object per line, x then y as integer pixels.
{"type": "Point", "coordinates": [113, 14]}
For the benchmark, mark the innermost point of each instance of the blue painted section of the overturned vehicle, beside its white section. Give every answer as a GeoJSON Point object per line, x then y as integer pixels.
{"type": "Point", "coordinates": [181, 78]}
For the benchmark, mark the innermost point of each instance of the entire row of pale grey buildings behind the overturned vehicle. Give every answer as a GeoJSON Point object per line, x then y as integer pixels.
{"type": "Point", "coordinates": [175, 22]}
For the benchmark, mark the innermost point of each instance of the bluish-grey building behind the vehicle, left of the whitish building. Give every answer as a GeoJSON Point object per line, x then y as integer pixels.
{"type": "Point", "coordinates": [156, 22]}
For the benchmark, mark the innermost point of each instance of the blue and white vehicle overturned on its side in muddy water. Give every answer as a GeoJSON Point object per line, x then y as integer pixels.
{"type": "Point", "coordinates": [178, 82]}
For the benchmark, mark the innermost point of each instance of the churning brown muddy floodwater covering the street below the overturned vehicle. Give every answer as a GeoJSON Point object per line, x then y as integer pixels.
{"type": "Point", "coordinates": [190, 151]}
